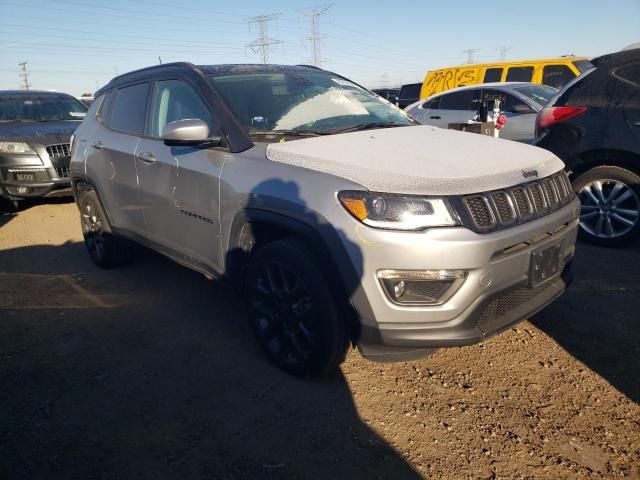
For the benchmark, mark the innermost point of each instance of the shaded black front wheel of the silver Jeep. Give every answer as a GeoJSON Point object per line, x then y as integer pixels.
{"type": "Point", "coordinates": [292, 312]}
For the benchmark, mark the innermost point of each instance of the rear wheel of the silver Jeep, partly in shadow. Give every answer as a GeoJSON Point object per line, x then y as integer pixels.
{"type": "Point", "coordinates": [105, 249]}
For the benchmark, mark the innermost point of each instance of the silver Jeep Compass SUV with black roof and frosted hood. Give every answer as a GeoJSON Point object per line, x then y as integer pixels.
{"type": "Point", "coordinates": [341, 220]}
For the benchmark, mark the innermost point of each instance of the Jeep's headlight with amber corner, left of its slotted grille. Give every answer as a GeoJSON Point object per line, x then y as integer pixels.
{"type": "Point", "coordinates": [398, 212]}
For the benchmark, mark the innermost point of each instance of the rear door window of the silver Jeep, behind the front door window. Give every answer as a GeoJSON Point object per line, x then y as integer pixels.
{"type": "Point", "coordinates": [129, 109]}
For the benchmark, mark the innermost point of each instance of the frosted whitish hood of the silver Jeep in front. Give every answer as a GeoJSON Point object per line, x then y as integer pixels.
{"type": "Point", "coordinates": [419, 160]}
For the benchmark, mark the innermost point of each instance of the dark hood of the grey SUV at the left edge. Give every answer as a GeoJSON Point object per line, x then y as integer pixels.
{"type": "Point", "coordinates": [38, 133]}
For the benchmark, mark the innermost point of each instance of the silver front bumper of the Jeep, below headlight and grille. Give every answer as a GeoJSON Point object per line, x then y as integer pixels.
{"type": "Point", "coordinates": [494, 296]}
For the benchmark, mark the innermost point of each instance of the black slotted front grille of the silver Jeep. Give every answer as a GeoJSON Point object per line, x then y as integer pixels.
{"type": "Point", "coordinates": [490, 211]}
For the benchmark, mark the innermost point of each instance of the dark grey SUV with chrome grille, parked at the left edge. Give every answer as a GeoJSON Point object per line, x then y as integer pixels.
{"type": "Point", "coordinates": [35, 133]}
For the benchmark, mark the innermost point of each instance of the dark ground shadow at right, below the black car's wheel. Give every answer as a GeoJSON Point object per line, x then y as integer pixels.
{"type": "Point", "coordinates": [598, 319]}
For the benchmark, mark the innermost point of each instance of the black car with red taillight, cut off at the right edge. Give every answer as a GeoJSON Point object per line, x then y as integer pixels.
{"type": "Point", "coordinates": [593, 124]}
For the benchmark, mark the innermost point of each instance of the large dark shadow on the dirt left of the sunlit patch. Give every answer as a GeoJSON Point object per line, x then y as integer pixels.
{"type": "Point", "coordinates": [150, 371]}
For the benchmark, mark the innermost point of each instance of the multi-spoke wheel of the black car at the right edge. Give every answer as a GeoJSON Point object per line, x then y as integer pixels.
{"type": "Point", "coordinates": [610, 211]}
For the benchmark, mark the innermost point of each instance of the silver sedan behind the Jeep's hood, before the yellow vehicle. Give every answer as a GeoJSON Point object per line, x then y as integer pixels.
{"type": "Point", "coordinates": [519, 101]}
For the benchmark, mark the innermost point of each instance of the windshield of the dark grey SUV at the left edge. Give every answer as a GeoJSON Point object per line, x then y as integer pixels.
{"type": "Point", "coordinates": [40, 108]}
